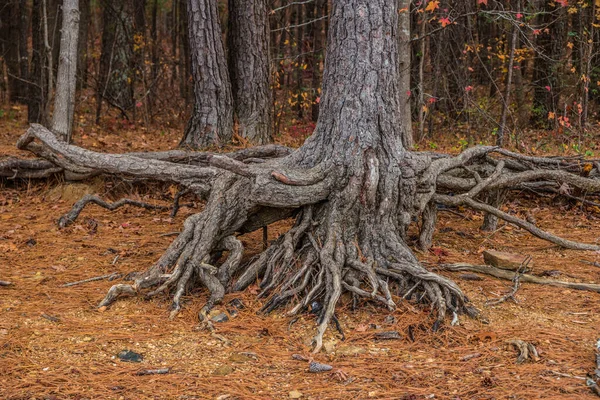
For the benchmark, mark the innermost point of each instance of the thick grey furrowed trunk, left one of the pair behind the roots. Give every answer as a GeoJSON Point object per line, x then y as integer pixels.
{"type": "Point", "coordinates": [211, 122]}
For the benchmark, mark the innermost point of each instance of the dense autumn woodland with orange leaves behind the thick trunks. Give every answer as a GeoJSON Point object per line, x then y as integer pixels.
{"type": "Point", "coordinates": [479, 67]}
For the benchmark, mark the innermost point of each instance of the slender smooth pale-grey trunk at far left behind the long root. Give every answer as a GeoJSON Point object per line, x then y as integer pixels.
{"type": "Point", "coordinates": [66, 82]}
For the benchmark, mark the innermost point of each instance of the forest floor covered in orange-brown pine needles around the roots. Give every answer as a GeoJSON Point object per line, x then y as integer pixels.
{"type": "Point", "coordinates": [55, 343]}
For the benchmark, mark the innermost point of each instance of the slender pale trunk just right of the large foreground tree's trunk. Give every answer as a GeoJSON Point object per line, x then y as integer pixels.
{"type": "Point", "coordinates": [404, 53]}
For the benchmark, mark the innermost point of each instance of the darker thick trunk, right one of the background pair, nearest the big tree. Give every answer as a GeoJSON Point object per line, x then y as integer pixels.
{"type": "Point", "coordinates": [249, 69]}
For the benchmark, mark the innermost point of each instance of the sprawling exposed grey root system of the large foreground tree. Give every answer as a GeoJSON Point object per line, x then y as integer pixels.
{"type": "Point", "coordinates": [351, 218]}
